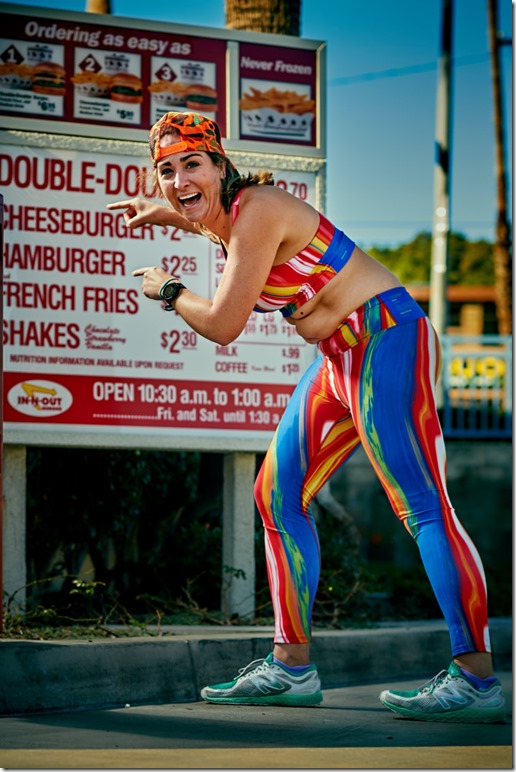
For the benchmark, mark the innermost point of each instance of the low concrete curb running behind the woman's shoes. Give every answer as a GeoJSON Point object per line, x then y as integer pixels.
{"type": "Point", "coordinates": [78, 675]}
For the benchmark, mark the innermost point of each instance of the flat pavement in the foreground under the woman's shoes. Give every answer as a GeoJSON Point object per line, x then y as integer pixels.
{"type": "Point", "coordinates": [349, 730]}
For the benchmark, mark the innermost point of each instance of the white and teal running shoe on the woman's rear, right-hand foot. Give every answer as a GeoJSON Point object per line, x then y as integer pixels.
{"type": "Point", "coordinates": [450, 696]}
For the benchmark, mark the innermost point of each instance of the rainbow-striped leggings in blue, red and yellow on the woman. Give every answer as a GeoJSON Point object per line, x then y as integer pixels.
{"type": "Point", "coordinates": [373, 385]}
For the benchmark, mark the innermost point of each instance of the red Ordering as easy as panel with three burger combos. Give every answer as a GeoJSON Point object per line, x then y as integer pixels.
{"type": "Point", "coordinates": [107, 76]}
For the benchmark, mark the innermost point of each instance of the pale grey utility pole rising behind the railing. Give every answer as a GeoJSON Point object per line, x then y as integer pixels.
{"type": "Point", "coordinates": [438, 309]}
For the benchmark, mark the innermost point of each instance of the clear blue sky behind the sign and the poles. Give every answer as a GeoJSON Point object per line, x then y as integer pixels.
{"type": "Point", "coordinates": [382, 88]}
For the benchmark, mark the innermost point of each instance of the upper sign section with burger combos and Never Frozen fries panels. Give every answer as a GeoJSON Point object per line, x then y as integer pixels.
{"type": "Point", "coordinates": [92, 75]}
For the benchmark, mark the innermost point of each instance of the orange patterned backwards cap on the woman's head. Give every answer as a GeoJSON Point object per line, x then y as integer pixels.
{"type": "Point", "coordinates": [196, 132]}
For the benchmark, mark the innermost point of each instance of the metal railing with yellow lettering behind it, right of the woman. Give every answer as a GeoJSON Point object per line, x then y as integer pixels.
{"type": "Point", "coordinates": [477, 386]}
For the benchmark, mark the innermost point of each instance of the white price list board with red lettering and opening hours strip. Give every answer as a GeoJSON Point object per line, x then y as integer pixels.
{"type": "Point", "coordinates": [83, 347]}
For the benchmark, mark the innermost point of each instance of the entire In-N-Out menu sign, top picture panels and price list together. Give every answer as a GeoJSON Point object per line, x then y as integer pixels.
{"type": "Point", "coordinates": [86, 355]}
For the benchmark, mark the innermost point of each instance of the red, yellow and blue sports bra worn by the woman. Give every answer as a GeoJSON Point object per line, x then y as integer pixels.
{"type": "Point", "coordinates": [293, 283]}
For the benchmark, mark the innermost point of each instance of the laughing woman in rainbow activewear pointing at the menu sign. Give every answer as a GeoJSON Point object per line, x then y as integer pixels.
{"type": "Point", "coordinates": [372, 385]}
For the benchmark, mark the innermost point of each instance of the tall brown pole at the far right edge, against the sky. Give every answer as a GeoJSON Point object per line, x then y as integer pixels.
{"type": "Point", "coordinates": [501, 251]}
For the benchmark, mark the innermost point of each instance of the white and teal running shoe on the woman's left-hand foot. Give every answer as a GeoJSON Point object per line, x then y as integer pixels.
{"type": "Point", "coordinates": [264, 682]}
